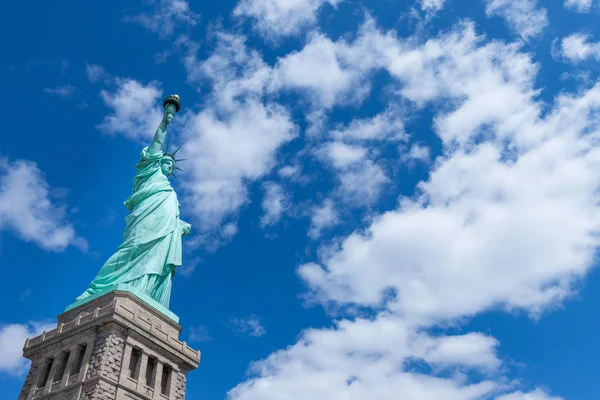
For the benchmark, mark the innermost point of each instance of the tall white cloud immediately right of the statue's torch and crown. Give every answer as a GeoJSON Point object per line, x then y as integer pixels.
{"type": "Point", "coordinates": [234, 140]}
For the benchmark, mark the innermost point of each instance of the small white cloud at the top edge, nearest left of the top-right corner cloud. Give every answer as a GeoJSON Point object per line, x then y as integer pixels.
{"type": "Point", "coordinates": [522, 16]}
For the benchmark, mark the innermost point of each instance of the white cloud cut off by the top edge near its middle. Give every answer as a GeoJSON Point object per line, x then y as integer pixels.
{"type": "Point", "coordinates": [274, 19]}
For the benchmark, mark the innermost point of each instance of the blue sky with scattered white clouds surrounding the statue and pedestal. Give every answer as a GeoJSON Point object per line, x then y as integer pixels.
{"type": "Point", "coordinates": [389, 199]}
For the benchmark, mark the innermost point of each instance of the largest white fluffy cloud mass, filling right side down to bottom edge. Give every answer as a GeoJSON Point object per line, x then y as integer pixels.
{"type": "Point", "coordinates": [508, 219]}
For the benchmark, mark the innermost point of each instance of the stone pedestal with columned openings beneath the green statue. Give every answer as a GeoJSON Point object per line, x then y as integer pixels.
{"type": "Point", "coordinates": [115, 347]}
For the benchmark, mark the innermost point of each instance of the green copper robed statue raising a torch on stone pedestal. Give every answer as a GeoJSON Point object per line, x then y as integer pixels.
{"type": "Point", "coordinates": [151, 250]}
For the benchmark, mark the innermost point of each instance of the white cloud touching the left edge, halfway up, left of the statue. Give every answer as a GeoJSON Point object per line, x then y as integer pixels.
{"type": "Point", "coordinates": [28, 209]}
